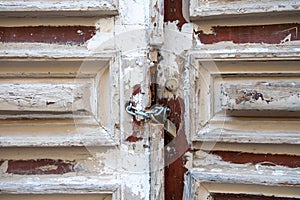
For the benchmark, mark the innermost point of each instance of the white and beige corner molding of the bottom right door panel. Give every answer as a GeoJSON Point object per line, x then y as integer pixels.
{"type": "Point", "coordinates": [213, 175]}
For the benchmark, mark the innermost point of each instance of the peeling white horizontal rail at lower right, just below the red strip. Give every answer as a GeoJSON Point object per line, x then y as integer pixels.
{"type": "Point", "coordinates": [211, 168]}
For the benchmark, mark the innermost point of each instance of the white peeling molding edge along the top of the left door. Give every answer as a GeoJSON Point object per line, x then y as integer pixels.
{"type": "Point", "coordinates": [69, 8]}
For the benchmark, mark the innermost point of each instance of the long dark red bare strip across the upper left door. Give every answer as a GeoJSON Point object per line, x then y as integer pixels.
{"type": "Point", "coordinates": [47, 34]}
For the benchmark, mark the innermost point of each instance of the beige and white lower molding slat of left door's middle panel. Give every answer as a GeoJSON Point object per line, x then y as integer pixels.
{"type": "Point", "coordinates": [54, 132]}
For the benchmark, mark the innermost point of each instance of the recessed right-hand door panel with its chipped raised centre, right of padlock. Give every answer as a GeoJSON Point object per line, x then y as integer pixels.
{"type": "Point", "coordinates": [247, 101]}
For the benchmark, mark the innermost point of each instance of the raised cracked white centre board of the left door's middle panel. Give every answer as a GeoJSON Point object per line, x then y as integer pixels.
{"type": "Point", "coordinates": [45, 96]}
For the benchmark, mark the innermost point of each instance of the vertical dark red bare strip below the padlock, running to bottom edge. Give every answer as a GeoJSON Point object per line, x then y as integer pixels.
{"type": "Point", "coordinates": [174, 158]}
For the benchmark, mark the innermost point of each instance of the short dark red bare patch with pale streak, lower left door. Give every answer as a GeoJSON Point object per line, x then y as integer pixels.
{"type": "Point", "coordinates": [39, 167]}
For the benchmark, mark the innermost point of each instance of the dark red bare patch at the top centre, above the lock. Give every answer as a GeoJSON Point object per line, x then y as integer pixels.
{"type": "Point", "coordinates": [173, 12]}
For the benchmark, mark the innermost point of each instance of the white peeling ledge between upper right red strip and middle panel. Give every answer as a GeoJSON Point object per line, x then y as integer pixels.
{"type": "Point", "coordinates": [229, 51]}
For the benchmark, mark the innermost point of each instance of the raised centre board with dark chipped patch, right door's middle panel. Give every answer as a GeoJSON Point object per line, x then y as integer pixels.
{"type": "Point", "coordinates": [261, 96]}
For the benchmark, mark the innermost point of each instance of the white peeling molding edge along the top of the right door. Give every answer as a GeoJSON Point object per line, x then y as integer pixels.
{"type": "Point", "coordinates": [212, 10]}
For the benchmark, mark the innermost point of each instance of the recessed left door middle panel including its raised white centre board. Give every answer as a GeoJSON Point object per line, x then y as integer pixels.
{"type": "Point", "coordinates": [57, 102]}
